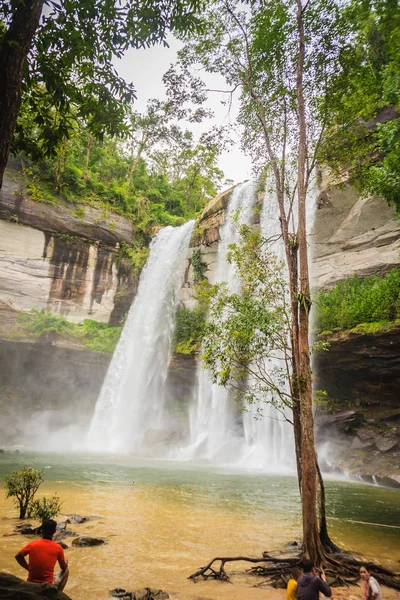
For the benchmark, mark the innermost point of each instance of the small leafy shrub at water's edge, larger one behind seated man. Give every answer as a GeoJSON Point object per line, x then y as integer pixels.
{"type": "Point", "coordinates": [22, 486]}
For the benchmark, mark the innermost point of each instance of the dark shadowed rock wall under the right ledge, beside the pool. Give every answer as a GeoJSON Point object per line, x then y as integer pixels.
{"type": "Point", "coordinates": [360, 373]}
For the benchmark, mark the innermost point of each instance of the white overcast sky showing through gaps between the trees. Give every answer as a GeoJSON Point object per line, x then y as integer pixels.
{"type": "Point", "coordinates": [145, 68]}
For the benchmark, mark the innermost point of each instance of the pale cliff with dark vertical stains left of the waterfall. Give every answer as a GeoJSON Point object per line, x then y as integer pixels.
{"type": "Point", "coordinates": [52, 259]}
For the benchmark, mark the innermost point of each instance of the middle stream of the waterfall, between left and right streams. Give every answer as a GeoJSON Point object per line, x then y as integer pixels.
{"type": "Point", "coordinates": [214, 426]}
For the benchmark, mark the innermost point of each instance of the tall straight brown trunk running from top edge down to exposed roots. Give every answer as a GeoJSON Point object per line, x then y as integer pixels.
{"type": "Point", "coordinates": [311, 541]}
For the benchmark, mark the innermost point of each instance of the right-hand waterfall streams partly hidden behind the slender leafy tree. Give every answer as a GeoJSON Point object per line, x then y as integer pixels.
{"type": "Point", "coordinates": [260, 437]}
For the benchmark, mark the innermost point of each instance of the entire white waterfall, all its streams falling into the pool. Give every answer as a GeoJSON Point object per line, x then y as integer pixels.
{"type": "Point", "coordinates": [132, 400]}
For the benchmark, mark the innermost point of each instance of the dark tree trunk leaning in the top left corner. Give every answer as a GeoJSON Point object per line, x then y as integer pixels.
{"type": "Point", "coordinates": [13, 53]}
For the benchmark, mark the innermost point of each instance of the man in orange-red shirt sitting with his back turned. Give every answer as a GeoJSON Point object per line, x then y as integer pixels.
{"type": "Point", "coordinates": [43, 555]}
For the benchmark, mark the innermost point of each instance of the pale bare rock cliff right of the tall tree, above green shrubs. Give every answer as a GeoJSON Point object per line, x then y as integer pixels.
{"type": "Point", "coordinates": [351, 235]}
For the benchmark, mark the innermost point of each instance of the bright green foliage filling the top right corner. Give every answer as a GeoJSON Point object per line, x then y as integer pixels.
{"type": "Point", "coordinates": [363, 115]}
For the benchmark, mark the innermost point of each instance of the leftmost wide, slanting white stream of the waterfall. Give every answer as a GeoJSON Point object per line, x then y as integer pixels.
{"type": "Point", "coordinates": [132, 397]}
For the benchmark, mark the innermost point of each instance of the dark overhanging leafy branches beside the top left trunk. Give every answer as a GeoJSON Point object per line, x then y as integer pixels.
{"type": "Point", "coordinates": [69, 72]}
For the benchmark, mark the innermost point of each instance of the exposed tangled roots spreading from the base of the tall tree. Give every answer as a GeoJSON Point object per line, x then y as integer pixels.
{"type": "Point", "coordinates": [340, 569]}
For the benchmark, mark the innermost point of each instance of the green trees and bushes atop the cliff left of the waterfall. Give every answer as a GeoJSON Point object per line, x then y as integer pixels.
{"type": "Point", "coordinates": [168, 188]}
